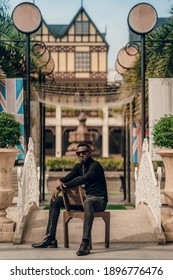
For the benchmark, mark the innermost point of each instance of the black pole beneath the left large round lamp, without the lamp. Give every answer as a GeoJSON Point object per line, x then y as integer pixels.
{"type": "Point", "coordinates": [27, 120]}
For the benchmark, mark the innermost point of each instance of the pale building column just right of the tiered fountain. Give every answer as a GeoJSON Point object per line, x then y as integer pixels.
{"type": "Point", "coordinates": [105, 133]}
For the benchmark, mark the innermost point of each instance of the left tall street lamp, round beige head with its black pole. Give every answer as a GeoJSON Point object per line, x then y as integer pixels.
{"type": "Point", "coordinates": [27, 19]}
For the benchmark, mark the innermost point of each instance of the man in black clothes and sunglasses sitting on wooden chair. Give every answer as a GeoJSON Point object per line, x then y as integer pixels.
{"type": "Point", "coordinates": [90, 174]}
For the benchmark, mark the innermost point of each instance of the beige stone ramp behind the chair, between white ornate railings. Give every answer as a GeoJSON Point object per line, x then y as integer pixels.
{"type": "Point", "coordinates": [126, 226]}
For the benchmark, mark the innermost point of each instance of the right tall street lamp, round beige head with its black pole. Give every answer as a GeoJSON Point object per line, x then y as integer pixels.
{"type": "Point", "coordinates": [142, 19]}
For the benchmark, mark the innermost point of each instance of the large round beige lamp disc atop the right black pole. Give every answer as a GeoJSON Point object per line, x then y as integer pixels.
{"type": "Point", "coordinates": [142, 18]}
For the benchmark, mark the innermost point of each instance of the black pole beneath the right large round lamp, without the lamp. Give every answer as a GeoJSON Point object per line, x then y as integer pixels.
{"type": "Point", "coordinates": [143, 117]}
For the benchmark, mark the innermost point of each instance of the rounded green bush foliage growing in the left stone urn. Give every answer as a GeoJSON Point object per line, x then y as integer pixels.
{"type": "Point", "coordinates": [10, 130]}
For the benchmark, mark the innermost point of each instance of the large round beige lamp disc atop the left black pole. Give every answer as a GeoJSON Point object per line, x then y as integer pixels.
{"type": "Point", "coordinates": [27, 17]}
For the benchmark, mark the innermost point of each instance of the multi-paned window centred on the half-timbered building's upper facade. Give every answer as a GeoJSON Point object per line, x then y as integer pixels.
{"type": "Point", "coordinates": [82, 62]}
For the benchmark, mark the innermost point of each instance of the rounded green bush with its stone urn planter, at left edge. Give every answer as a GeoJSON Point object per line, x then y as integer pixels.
{"type": "Point", "coordinates": [10, 133]}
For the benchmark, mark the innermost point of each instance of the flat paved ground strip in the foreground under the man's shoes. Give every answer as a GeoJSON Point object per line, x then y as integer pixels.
{"type": "Point", "coordinates": [117, 251]}
